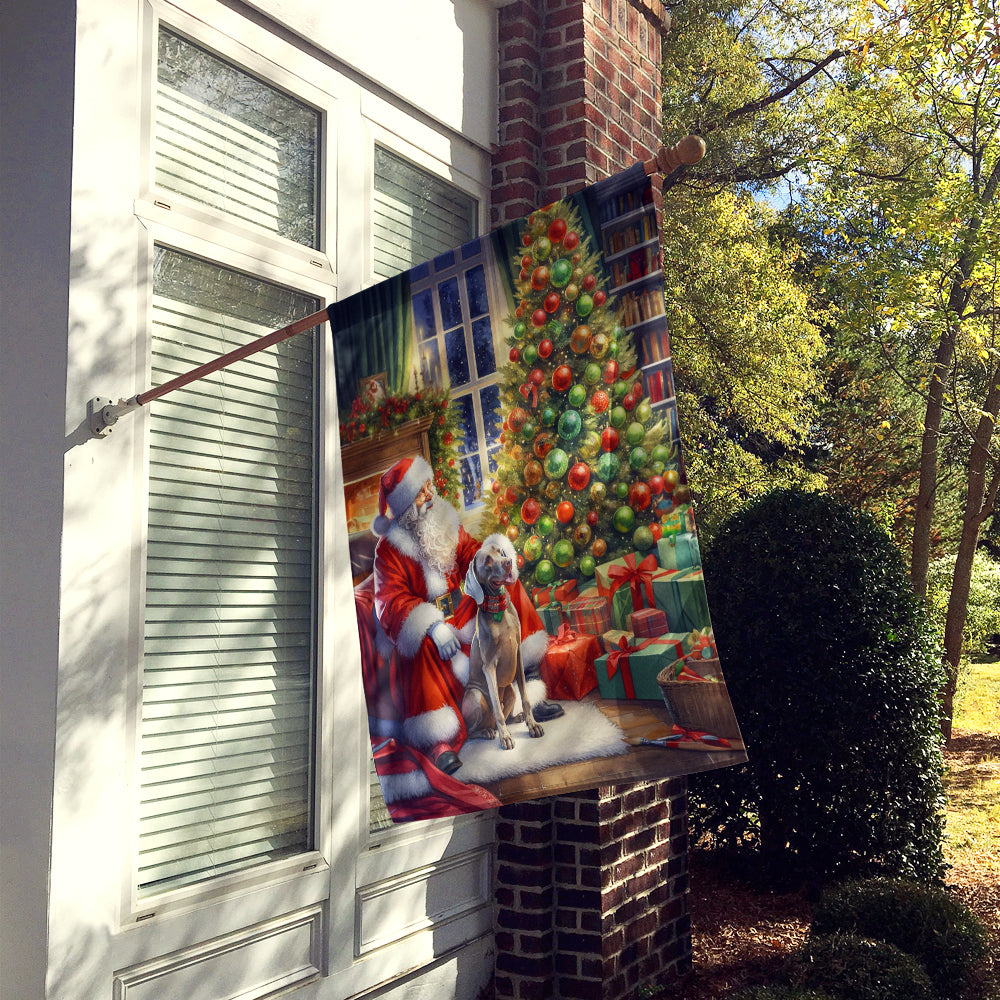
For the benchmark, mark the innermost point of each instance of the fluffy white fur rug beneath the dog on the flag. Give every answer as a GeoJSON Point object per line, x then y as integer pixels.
{"type": "Point", "coordinates": [583, 732]}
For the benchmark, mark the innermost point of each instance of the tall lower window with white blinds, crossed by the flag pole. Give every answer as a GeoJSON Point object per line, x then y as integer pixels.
{"type": "Point", "coordinates": [226, 758]}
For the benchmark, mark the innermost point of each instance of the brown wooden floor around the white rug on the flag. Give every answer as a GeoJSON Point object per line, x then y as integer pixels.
{"type": "Point", "coordinates": [637, 719]}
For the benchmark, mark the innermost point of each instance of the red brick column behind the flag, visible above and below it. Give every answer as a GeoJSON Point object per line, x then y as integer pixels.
{"type": "Point", "coordinates": [591, 889]}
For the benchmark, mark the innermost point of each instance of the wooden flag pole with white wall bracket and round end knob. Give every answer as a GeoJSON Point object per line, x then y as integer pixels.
{"type": "Point", "coordinates": [103, 413]}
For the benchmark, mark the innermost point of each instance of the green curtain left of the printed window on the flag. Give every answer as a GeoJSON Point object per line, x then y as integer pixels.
{"type": "Point", "coordinates": [372, 333]}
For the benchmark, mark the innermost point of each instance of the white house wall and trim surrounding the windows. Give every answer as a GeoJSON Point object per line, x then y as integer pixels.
{"type": "Point", "coordinates": [410, 916]}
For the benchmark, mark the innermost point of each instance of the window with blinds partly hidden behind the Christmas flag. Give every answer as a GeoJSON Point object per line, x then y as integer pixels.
{"type": "Point", "coordinates": [415, 216]}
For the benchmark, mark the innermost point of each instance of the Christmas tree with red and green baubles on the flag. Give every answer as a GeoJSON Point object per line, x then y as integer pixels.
{"type": "Point", "coordinates": [583, 457]}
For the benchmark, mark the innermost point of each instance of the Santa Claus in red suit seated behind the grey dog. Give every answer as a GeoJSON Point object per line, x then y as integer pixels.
{"type": "Point", "coordinates": [421, 559]}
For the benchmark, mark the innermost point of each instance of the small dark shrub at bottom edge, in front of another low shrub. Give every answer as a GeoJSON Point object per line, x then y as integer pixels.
{"type": "Point", "coordinates": [857, 968]}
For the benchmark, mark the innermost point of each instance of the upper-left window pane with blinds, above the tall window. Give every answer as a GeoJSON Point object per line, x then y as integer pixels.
{"type": "Point", "coordinates": [235, 143]}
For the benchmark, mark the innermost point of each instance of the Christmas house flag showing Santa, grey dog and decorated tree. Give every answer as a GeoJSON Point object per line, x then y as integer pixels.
{"type": "Point", "coordinates": [528, 587]}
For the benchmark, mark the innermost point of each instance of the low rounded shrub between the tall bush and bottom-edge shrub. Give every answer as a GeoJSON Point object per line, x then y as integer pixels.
{"type": "Point", "coordinates": [924, 921]}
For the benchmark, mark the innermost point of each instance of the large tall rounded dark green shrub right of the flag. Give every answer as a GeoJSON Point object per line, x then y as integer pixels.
{"type": "Point", "coordinates": [834, 675]}
